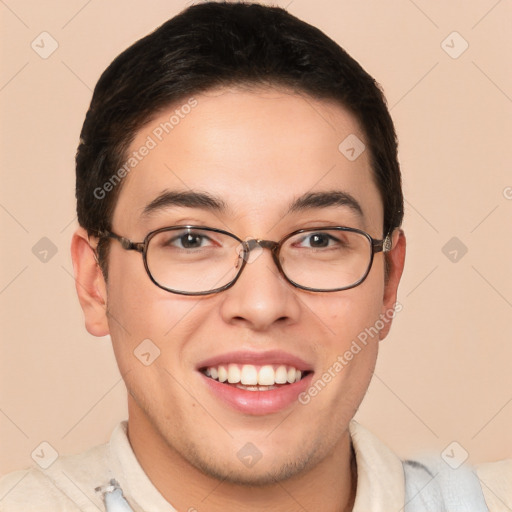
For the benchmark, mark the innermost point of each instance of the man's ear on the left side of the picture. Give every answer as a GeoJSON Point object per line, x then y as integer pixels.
{"type": "Point", "coordinates": [90, 284]}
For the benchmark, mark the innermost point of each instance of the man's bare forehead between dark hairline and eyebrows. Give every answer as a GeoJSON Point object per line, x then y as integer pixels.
{"type": "Point", "coordinates": [257, 150]}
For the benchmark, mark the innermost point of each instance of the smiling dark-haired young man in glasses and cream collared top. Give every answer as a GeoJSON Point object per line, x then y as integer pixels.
{"type": "Point", "coordinates": [239, 201]}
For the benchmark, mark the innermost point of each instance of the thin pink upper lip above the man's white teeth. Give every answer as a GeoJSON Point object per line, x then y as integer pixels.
{"type": "Point", "coordinates": [256, 358]}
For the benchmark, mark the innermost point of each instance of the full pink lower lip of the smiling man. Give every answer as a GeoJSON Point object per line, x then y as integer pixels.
{"type": "Point", "coordinates": [258, 402]}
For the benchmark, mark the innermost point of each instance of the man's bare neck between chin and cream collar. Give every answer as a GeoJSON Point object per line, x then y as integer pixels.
{"type": "Point", "coordinates": [331, 484]}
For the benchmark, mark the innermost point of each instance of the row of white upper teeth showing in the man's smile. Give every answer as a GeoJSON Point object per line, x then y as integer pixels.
{"type": "Point", "coordinates": [249, 375]}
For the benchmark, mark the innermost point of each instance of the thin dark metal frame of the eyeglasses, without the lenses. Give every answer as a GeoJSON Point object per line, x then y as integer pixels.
{"type": "Point", "coordinates": [377, 246]}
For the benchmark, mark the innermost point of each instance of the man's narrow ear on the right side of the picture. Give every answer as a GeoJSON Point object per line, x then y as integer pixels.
{"type": "Point", "coordinates": [395, 261]}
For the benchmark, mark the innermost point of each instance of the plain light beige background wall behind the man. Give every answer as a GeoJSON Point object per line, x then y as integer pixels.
{"type": "Point", "coordinates": [444, 373]}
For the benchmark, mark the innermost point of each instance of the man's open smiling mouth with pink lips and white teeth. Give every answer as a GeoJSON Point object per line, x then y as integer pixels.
{"type": "Point", "coordinates": [256, 383]}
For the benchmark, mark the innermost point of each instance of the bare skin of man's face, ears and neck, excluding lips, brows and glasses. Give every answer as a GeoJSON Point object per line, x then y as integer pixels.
{"type": "Point", "coordinates": [258, 150]}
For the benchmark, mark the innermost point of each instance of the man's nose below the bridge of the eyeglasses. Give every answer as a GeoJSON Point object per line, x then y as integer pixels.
{"type": "Point", "coordinates": [261, 297]}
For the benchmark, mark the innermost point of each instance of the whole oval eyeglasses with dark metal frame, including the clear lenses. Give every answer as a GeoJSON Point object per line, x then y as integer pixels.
{"type": "Point", "coordinates": [199, 260]}
